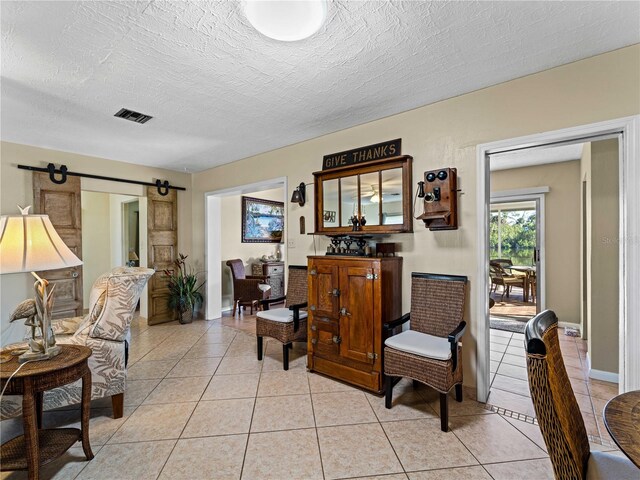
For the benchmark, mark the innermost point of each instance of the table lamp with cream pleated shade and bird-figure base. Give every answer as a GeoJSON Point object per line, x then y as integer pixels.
{"type": "Point", "coordinates": [29, 243]}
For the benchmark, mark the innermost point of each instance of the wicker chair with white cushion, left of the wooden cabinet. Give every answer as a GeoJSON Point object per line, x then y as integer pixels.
{"type": "Point", "coordinates": [288, 324]}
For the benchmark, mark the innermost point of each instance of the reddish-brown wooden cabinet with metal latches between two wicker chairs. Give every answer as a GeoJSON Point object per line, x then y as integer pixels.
{"type": "Point", "coordinates": [349, 300]}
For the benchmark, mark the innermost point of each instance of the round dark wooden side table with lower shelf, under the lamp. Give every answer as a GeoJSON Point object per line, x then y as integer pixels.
{"type": "Point", "coordinates": [39, 446]}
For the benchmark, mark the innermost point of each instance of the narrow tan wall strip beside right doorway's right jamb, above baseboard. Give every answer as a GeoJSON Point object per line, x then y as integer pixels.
{"type": "Point", "coordinates": [603, 335]}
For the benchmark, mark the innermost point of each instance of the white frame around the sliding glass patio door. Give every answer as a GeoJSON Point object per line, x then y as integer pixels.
{"type": "Point", "coordinates": [526, 195]}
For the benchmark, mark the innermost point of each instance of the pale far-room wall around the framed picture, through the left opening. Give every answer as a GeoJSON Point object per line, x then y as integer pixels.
{"type": "Point", "coordinates": [231, 236]}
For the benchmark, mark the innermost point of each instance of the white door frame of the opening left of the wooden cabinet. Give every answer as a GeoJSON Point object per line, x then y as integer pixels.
{"type": "Point", "coordinates": [213, 240]}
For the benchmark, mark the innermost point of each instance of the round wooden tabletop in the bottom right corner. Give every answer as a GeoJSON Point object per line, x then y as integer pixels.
{"type": "Point", "coordinates": [622, 419]}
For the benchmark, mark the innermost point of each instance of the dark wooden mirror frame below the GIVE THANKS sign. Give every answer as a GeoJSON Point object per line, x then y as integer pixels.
{"type": "Point", "coordinates": [404, 162]}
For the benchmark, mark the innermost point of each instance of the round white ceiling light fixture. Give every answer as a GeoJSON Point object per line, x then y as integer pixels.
{"type": "Point", "coordinates": [286, 20]}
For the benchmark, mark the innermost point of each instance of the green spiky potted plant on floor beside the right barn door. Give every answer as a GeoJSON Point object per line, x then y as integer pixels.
{"type": "Point", "coordinates": [184, 291]}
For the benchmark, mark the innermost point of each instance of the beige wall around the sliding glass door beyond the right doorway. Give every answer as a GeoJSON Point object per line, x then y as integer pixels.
{"type": "Point", "coordinates": [562, 229]}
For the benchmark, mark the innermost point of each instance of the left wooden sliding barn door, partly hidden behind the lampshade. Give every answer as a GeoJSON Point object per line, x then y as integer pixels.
{"type": "Point", "coordinates": [63, 205]}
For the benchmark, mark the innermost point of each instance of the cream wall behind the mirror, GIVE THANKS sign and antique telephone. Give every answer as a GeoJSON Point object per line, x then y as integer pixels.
{"type": "Point", "coordinates": [446, 134]}
